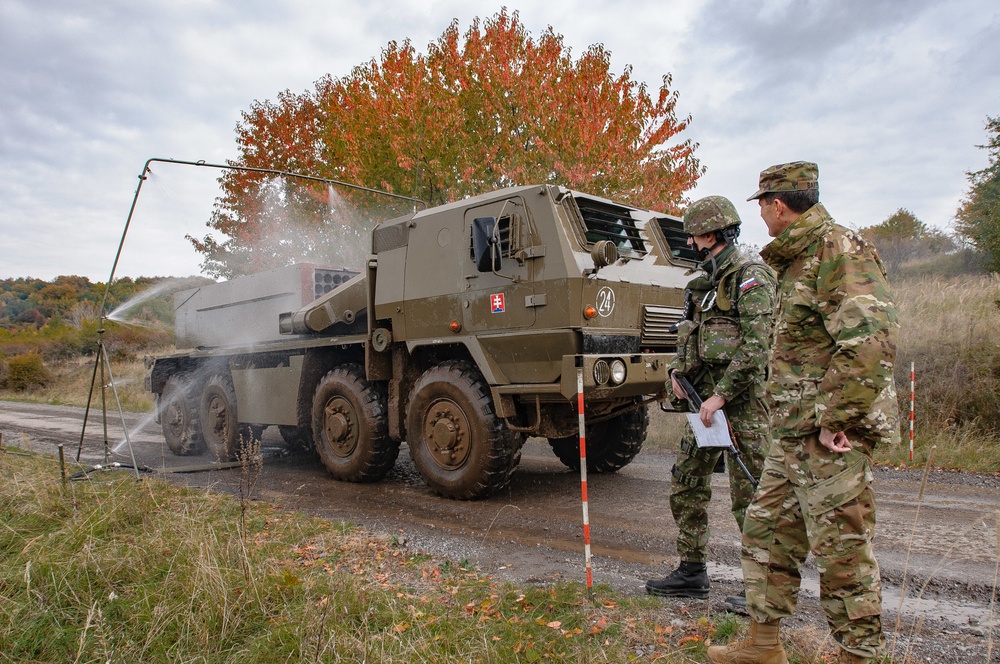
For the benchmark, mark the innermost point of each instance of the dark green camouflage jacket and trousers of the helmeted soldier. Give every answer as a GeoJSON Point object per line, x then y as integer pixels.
{"type": "Point", "coordinates": [723, 351]}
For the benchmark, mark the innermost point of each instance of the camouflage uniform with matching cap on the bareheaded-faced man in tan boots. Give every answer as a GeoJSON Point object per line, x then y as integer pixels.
{"type": "Point", "coordinates": [831, 367]}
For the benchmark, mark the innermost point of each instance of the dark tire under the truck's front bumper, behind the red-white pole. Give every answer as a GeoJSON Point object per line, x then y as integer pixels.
{"type": "Point", "coordinates": [611, 444]}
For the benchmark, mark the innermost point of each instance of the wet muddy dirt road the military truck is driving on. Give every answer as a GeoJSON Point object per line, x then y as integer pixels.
{"type": "Point", "coordinates": [944, 543]}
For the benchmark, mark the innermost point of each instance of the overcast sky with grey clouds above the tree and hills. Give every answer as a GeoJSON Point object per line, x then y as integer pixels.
{"type": "Point", "coordinates": [890, 97]}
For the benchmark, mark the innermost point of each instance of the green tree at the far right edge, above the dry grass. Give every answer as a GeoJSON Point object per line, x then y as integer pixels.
{"type": "Point", "coordinates": [978, 218]}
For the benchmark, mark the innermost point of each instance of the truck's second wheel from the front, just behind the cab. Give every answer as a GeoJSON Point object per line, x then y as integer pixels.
{"type": "Point", "coordinates": [350, 425]}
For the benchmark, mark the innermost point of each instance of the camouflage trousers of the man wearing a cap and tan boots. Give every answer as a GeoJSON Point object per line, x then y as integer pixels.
{"type": "Point", "coordinates": [814, 500]}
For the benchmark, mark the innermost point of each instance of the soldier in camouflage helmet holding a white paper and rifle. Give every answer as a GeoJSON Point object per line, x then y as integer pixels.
{"type": "Point", "coordinates": [722, 349]}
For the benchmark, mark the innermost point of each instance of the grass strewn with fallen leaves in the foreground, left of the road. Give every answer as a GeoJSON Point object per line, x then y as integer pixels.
{"type": "Point", "coordinates": [111, 569]}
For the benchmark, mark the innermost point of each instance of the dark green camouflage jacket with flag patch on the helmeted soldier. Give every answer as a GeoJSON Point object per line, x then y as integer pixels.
{"type": "Point", "coordinates": [723, 349]}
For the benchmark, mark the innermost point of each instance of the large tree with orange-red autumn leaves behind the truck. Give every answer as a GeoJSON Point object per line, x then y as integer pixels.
{"type": "Point", "coordinates": [484, 109]}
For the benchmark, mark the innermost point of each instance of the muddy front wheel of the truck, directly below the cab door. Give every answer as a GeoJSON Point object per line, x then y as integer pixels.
{"type": "Point", "coordinates": [458, 444]}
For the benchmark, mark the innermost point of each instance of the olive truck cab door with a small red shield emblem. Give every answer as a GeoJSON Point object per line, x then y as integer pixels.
{"type": "Point", "coordinates": [499, 289]}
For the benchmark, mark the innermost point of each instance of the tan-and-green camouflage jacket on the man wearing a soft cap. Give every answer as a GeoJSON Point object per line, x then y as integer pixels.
{"type": "Point", "coordinates": [835, 333]}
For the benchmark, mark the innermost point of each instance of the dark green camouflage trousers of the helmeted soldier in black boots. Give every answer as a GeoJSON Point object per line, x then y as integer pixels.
{"type": "Point", "coordinates": [691, 489]}
